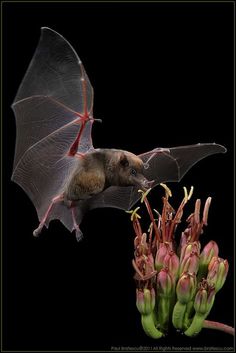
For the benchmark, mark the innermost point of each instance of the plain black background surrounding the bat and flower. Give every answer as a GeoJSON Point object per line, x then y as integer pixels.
{"type": "Point", "coordinates": [163, 76]}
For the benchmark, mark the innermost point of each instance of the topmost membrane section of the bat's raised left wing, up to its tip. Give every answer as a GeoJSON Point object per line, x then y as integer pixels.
{"type": "Point", "coordinates": [56, 71]}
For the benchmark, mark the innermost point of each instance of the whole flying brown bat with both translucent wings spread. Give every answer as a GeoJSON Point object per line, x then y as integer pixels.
{"type": "Point", "coordinates": [55, 162]}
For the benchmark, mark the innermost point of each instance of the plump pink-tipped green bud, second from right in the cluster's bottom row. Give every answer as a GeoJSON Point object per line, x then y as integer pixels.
{"type": "Point", "coordinates": [186, 287]}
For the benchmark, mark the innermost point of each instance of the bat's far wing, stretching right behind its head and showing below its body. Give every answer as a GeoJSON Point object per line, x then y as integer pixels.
{"type": "Point", "coordinates": [161, 165]}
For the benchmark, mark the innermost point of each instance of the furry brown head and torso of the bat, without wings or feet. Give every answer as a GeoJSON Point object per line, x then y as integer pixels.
{"type": "Point", "coordinates": [102, 168]}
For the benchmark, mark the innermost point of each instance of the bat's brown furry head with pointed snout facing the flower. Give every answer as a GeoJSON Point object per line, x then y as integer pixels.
{"type": "Point", "coordinates": [131, 171]}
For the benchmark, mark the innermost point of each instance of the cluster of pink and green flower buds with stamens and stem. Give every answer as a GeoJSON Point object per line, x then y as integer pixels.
{"type": "Point", "coordinates": [176, 284]}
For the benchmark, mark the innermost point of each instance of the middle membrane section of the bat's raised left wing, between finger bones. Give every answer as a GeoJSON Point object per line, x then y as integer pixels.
{"type": "Point", "coordinates": [38, 119]}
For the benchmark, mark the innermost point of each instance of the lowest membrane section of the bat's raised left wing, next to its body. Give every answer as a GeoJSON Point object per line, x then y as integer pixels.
{"type": "Point", "coordinates": [45, 167]}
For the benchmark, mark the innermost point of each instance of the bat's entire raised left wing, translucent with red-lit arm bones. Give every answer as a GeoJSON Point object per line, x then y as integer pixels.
{"type": "Point", "coordinates": [53, 106]}
